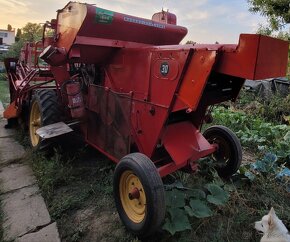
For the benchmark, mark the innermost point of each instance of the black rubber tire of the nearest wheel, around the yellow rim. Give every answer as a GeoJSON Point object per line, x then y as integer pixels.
{"type": "Point", "coordinates": [148, 174]}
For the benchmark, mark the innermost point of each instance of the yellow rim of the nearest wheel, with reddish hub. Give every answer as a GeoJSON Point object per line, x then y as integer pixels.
{"type": "Point", "coordinates": [132, 196]}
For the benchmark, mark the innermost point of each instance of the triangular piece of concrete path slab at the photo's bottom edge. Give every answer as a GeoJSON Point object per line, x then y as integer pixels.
{"type": "Point", "coordinates": [47, 234]}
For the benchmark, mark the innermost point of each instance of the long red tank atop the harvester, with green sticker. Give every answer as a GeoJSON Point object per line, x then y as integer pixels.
{"type": "Point", "coordinates": [92, 35]}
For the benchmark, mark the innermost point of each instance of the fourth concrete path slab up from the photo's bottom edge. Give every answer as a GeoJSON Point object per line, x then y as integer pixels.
{"type": "Point", "coordinates": [10, 150]}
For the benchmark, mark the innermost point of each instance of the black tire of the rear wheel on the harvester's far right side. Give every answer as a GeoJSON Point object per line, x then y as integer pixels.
{"type": "Point", "coordinates": [228, 140]}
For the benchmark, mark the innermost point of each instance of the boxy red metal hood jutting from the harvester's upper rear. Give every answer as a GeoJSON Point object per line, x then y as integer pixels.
{"type": "Point", "coordinates": [256, 57]}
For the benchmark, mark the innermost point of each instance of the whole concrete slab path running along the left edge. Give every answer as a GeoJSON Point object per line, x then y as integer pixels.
{"type": "Point", "coordinates": [26, 218]}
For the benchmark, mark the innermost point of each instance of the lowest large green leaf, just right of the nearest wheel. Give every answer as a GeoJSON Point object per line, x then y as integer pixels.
{"type": "Point", "coordinates": [177, 222]}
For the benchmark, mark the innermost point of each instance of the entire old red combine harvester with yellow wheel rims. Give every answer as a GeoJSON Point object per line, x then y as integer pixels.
{"type": "Point", "coordinates": [137, 96]}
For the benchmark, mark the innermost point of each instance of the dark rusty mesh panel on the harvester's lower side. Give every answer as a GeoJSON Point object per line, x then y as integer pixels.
{"type": "Point", "coordinates": [109, 121]}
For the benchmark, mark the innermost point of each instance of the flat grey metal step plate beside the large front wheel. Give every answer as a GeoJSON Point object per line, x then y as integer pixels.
{"type": "Point", "coordinates": [53, 130]}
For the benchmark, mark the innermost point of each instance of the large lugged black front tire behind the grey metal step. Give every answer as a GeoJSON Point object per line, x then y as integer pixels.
{"type": "Point", "coordinates": [50, 111]}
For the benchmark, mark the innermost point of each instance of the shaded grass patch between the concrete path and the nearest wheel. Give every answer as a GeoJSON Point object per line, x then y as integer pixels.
{"type": "Point", "coordinates": [79, 194]}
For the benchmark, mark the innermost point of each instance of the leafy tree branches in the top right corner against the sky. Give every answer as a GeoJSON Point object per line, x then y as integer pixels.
{"type": "Point", "coordinates": [277, 11]}
